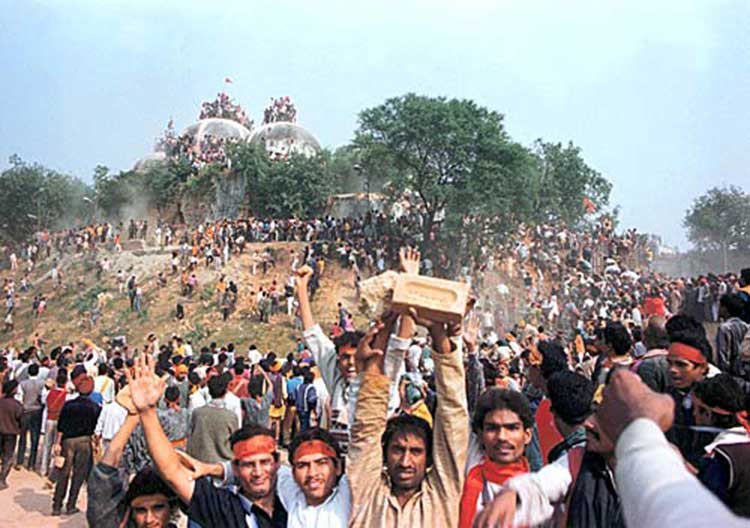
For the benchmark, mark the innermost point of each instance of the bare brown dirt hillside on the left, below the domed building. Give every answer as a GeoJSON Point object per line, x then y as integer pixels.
{"type": "Point", "coordinates": [66, 316]}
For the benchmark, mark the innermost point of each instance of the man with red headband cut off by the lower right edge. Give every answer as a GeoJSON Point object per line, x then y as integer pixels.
{"type": "Point", "coordinates": [719, 402]}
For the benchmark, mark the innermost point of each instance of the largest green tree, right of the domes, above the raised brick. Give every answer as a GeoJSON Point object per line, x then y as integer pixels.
{"type": "Point", "coordinates": [455, 156]}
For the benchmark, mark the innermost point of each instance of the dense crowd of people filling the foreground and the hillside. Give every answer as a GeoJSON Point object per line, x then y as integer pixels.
{"type": "Point", "coordinates": [605, 405]}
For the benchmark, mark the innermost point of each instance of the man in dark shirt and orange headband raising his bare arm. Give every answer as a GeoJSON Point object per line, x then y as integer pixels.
{"type": "Point", "coordinates": [255, 462]}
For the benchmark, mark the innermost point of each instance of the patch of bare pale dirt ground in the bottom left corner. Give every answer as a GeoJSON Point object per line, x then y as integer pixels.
{"type": "Point", "coordinates": [26, 503]}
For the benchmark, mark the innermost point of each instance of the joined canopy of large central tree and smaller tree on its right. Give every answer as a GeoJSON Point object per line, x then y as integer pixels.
{"type": "Point", "coordinates": [461, 165]}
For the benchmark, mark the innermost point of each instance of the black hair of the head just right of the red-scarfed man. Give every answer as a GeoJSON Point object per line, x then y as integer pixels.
{"type": "Point", "coordinates": [571, 395]}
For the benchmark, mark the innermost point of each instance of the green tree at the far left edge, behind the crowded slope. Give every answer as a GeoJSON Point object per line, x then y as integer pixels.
{"type": "Point", "coordinates": [33, 197]}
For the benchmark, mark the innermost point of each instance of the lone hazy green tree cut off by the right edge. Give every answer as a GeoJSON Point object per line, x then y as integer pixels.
{"type": "Point", "coordinates": [720, 220]}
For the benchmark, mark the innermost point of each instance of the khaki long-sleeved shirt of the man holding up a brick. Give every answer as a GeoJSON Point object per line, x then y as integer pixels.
{"type": "Point", "coordinates": [437, 503]}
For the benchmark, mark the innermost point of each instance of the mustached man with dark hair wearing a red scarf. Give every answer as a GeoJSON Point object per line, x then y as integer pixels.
{"type": "Point", "coordinates": [502, 424]}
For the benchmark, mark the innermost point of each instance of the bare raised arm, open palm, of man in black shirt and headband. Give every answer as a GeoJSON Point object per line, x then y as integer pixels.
{"type": "Point", "coordinates": [146, 391]}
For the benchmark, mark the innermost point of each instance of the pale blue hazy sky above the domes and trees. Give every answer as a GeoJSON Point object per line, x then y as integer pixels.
{"type": "Point", "coordinates": [657, 96]}
